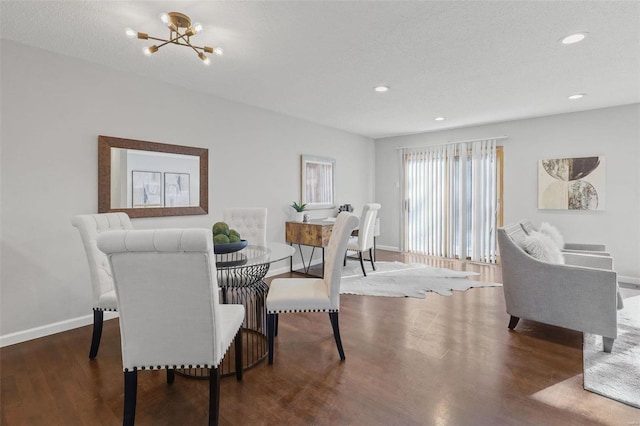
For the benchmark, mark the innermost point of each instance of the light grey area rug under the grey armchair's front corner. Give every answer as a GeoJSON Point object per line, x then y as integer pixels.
{"type": "Point", "coordinates": [616, 375]}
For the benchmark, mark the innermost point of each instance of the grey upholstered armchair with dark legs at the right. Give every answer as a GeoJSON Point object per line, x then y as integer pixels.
{"type": "Point", "coordinates": [581, 294]}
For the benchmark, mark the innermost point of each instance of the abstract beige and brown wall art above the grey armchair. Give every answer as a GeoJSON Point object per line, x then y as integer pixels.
{"type": "Point", "coordinates": [572, 183]}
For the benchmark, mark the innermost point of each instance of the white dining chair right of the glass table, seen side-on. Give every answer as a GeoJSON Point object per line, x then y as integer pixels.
{"type": "Point", "coordinates": [313, 294]}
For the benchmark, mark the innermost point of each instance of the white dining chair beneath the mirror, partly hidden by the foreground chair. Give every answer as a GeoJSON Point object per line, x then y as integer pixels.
{"type": "Point", "coordinates": [103, 296]}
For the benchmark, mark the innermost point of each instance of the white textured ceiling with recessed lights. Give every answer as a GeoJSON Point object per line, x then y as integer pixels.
{"type": "Point", "coordinates": [471, 61]}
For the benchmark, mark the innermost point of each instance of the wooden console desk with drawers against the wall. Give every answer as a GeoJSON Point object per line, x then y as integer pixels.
{"type": "Point", "coordinates": [315, 233]}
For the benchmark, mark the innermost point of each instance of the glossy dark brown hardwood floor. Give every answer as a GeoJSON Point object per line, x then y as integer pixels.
{"type": "Point", "coordinates": [438, 361]}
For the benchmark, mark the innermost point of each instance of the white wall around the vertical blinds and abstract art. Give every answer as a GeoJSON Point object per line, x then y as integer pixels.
{"type": "Point", "coordinates": [612, 132]}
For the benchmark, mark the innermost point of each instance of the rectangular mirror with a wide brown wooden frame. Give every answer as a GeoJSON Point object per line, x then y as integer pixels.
{"type": "Point", "coordinates": [150, 179]}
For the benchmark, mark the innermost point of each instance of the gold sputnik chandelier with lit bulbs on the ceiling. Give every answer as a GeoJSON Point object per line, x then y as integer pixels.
{"type": "Point", "coordinates": [180, 32]}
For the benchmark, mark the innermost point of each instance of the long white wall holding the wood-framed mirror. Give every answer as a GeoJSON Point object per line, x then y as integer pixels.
{"type": "Point", "coordinates": [54, 108]}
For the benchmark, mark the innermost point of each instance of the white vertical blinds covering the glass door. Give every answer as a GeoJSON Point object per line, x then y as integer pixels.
{"type": "Point", "coordinates": [451, 200]}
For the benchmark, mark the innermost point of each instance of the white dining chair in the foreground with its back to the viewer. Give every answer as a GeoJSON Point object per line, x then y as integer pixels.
{"type": "Point", "coordinates": [166, 286]}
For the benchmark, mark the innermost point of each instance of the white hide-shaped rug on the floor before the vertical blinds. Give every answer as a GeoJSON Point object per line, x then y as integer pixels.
{"type": "Point", "coordinates": [396, 279]}
